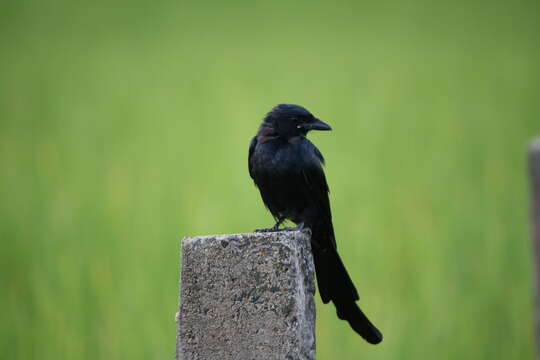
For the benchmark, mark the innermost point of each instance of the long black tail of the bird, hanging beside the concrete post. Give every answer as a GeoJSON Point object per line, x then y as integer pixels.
{"type": "Point", "coordinates": [335, 284]}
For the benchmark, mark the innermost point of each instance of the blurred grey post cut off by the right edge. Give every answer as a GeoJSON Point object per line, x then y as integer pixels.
{"type": "Point", "coordinates": [534, 168]}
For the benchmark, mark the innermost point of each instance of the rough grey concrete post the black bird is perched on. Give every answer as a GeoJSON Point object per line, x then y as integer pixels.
{"type": "Point", "coordinates": [247, 296]}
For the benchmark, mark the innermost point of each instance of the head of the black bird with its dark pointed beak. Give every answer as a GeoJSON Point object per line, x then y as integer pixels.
{"type": "Point", "coordinates": [288, 120]}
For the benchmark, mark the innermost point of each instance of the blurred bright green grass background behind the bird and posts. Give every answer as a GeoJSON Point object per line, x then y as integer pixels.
{"type": "Point", "coordinates": [125, 125]}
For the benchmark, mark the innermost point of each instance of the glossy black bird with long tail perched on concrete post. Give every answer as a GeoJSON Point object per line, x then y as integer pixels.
{"type": "Point", "coordinates": [287, 169]}
